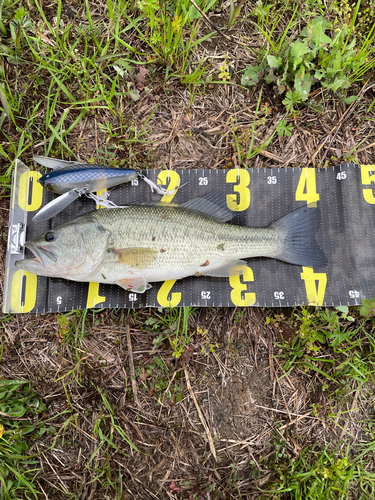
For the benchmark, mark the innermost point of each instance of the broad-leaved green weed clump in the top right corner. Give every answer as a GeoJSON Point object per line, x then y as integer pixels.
{"type": "Point", "coordinates": [321, 55]}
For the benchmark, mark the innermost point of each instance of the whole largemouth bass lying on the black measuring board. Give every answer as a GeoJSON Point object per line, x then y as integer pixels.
{"type": "Point", "coordinates": [134, 246]}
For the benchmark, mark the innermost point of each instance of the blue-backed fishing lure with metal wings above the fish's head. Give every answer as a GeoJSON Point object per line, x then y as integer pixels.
{"type": "Point", "coordinates": [72, 179]}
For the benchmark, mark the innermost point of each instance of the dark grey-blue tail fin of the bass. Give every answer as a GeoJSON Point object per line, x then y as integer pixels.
{"type": "Point", "coordinates": [298, 238]}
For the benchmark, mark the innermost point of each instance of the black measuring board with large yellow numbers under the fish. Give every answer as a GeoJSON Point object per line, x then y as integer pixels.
{"type": "Point", "coordinates": [345, 195]}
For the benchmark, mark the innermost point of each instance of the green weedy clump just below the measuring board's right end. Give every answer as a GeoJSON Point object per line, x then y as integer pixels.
{"type": "Point", "coordinates": [350, 342]}
